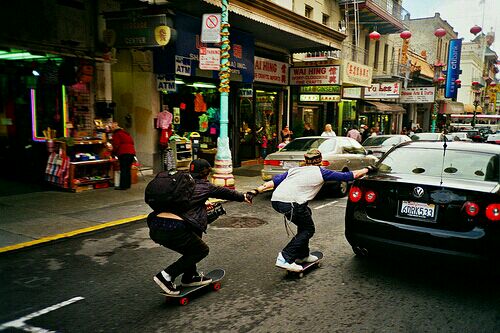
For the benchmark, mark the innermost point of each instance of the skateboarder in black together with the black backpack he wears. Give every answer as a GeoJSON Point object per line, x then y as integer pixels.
{"type": "Point", "coordinates": [180, 219]}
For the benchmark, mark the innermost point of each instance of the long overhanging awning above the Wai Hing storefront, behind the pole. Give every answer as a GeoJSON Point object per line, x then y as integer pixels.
{"type": "Point", "coordinates": [271, 24]}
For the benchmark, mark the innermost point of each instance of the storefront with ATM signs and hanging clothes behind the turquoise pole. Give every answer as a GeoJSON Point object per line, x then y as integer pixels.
{"type": "Point", "coordinates": [187, 76]}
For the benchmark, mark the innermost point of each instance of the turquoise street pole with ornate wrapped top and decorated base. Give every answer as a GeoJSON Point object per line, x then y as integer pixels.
{"type": "Point", "coordinates": [223, 167]}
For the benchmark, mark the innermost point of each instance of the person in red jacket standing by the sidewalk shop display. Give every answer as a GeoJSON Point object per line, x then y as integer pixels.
{"type": "Point", "coordinates": [123, 147]}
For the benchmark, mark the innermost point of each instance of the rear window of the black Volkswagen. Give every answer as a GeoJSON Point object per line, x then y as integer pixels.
{"type": "Point", "coordinates": [429, 162]}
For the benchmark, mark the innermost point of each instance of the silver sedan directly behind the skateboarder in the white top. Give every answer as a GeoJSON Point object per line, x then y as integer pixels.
{"type": "Point", "coordinates": [339, 154]}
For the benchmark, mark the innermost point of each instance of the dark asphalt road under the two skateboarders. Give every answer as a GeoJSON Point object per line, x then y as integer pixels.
{"type": "Point", "coordinates": [103, 283]}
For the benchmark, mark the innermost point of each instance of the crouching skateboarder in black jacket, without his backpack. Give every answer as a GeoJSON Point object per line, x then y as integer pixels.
{"type": "Point", "coordinates": [183, 232]}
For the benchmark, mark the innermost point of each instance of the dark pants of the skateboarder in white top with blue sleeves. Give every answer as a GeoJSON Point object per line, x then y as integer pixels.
{"type": "Point", "coordinates": [301, 216]}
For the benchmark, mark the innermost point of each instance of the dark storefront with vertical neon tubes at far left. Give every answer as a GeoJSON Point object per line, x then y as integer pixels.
{"type": "Point", "coordinates": [44, 99]}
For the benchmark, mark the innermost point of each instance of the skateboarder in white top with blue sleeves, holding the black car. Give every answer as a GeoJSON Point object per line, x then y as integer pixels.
{"type": "Point", "coordinates": [292, 192]}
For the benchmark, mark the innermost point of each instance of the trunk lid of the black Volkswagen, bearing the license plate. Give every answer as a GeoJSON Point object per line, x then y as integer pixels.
{"type": "Point", "coordinates": [426, 203]}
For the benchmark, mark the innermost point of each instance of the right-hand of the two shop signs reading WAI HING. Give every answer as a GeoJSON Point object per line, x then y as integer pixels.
{"type": "Point", "coordinates": [314, 75]}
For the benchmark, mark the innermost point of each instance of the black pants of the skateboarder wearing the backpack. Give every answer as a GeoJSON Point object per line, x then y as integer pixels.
{"type": "Point", "coordinates": [186, 242]}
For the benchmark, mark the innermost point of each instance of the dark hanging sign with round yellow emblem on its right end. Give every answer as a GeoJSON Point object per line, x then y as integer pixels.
{"type": "Point", "coordinates": [144, 31]}
